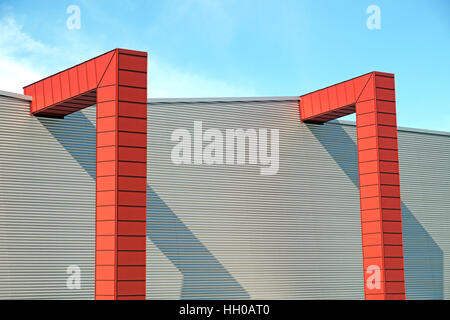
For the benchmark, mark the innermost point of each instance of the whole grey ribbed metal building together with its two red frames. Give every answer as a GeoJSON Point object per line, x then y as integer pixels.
{"type": "Point", "coordinates": [292, 218]}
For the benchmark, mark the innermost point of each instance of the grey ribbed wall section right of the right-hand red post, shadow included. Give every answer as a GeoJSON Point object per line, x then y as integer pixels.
{"type": "Point", "coordinates": [424, 160]}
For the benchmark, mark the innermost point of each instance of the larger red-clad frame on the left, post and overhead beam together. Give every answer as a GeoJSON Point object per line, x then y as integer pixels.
{"type": "Point", "coordinates": [117, 82]}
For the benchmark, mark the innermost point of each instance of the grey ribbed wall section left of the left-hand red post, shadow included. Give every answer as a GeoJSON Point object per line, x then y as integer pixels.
{"type": "Point", "coordinates": [47, 203]}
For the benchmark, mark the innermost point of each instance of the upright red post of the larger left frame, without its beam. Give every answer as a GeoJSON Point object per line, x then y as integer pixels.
{"type": "Point", "coordinates": [121, 178]}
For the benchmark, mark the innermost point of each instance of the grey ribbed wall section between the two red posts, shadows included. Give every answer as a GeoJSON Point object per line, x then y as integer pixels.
{"type": "Point", "coordinates": [228, 232]}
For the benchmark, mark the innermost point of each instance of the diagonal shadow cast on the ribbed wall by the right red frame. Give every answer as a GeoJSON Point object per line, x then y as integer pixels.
{"type": "Point", "coordinates": [423, 258]}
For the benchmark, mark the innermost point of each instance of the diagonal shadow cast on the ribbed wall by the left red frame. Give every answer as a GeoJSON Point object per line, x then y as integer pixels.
{"type": "Point", "coordinates": [204, 277]}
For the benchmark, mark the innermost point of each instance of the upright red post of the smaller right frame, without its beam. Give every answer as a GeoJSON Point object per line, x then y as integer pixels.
{"type": "Point", "coordinates": [380, 190]}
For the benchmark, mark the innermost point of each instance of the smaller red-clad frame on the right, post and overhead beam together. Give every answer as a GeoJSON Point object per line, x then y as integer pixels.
{"type": "Point", "coordinates": [372, 97]}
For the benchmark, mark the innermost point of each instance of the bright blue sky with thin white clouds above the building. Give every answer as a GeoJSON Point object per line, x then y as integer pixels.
{"type": "Point", "coordinates": [243, 48]}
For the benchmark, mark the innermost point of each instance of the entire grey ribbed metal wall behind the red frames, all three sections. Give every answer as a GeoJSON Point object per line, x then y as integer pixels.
{"type": "Point", "coordinates": [216, 231]}
